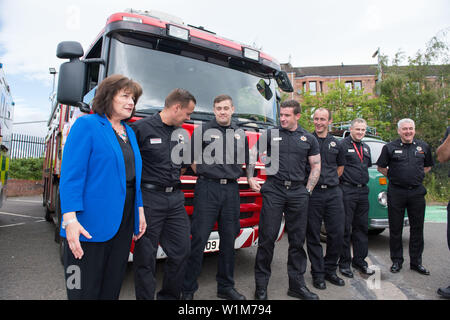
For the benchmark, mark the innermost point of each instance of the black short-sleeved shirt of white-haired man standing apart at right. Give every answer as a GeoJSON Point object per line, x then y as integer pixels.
{"type": "Point", "coordinates": [406, 162]}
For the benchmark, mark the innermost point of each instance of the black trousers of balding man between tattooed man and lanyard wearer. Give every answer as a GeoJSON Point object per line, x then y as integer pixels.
{"type": "Point", "coordinates": [325, 205]}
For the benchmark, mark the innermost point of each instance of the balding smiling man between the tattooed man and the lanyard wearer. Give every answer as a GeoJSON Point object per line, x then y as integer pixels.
{"type": "Point", "coordinates": [325, 204]}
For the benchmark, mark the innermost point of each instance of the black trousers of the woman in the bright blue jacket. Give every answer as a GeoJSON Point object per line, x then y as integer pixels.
{"type": "Point", "coordinates": [101, 270]}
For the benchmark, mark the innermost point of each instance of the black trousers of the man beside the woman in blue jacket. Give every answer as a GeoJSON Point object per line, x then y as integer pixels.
{"type": "Point", "coordinates": [167, 225]}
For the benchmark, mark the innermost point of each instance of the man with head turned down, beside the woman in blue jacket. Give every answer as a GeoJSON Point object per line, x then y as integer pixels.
{"type": "Point", "coordinates": [157, 135]}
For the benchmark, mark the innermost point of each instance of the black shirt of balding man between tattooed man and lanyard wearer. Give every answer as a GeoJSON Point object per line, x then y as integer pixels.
{"type": "Point", "coordinates": [332, 156]}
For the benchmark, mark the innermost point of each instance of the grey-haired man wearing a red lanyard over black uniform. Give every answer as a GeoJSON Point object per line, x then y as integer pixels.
{"type": "Point", "coordinates": [354, 181]}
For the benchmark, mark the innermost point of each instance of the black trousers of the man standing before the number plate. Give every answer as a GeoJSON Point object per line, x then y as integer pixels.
{"type": "Point", "coordinates": [214, 202]}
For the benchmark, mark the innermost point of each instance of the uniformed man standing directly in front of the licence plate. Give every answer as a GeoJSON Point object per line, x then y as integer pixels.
{"type": "Point", "coordinates": [219, 150]}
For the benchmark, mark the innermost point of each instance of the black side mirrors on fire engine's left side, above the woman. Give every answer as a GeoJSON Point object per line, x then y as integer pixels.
{"type": "Point", "coordinates": [72, 74]}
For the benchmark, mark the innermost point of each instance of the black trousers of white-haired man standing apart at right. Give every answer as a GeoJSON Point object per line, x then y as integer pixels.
{"type": "Point", "coordinates": [413, 201]}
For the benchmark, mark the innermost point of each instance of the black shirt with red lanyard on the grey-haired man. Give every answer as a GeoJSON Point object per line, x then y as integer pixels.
{"type": "Point", "coordinates": [356, 169]}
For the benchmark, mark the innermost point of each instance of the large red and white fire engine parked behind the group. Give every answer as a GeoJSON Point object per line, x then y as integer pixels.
{"type": "Point", "coordinates": [161, 52]}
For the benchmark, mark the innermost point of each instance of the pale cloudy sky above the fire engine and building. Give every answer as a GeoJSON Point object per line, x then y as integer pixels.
{"type": "Point", "coordinates": [304, 33]}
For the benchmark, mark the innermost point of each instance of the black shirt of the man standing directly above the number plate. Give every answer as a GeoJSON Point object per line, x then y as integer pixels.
{"type": "Point", "coordinates": [219, 151]}
